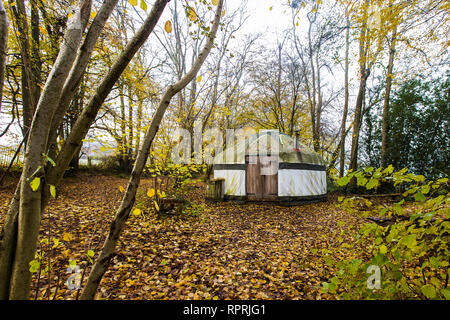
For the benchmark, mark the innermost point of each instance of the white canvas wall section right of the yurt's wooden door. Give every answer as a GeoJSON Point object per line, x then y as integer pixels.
{"type": "Point", "coordinates": [301, 182]}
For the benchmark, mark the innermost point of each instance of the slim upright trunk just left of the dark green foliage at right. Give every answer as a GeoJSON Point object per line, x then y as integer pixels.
{"type": "Point", "coordinates": [384, 131]}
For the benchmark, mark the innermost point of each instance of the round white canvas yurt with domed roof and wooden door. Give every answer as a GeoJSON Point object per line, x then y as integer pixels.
{"type": "Point", "coordinates": [271, 166]}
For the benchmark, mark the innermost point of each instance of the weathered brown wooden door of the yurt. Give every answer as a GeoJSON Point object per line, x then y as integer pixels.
{"type": "Point", "coordinates": [262, 176]}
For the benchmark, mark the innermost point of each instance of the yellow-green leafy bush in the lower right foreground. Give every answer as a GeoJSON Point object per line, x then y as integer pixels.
{"type": "Point", "coordinates": [408, 241]}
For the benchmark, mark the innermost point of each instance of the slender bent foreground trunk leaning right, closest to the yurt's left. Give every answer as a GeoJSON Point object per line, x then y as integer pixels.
{"type": "Point", "coordinates": [128, 200]}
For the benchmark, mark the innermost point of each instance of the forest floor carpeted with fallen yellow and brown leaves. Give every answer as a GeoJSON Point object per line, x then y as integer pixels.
{"type": "Point", "coordinates": [223, 250]}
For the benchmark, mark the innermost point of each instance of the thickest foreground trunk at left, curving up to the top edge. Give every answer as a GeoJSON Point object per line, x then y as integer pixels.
{"type": "Point", "coordinates": [30, 201]}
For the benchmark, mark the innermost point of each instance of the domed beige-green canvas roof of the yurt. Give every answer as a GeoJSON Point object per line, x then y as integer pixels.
{"type": "Point", "coordinates": [267, 140]}
